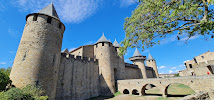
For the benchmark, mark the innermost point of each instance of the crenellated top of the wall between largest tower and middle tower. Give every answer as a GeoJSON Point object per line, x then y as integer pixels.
{"type": "Point", "coordinates": [80, 58]}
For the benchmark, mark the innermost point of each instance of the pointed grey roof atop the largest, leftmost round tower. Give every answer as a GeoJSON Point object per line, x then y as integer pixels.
{"type": "Point", "coordinates": [50, 10]}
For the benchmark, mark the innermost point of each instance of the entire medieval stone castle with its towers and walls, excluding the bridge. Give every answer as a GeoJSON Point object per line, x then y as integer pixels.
{"type": "Point", "coordinates": [88, 71]}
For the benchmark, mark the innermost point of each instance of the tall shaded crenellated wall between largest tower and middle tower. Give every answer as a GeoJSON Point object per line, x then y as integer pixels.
{"type": "Point", "coordinates": [78, 78]}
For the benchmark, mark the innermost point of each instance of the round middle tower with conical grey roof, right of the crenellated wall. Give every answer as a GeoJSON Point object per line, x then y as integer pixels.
{"type": "Point", "coordinates": [103, 52]}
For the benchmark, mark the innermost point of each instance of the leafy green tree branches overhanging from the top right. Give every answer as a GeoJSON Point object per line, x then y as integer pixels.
{"type": "Point", "coordinates": [154, 19]}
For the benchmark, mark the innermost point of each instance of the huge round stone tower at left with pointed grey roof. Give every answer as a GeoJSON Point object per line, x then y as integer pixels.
{"type": "Point", "coordinates": [38, 56]}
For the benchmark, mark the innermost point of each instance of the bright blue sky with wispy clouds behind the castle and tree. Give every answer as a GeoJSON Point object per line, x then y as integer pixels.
{"type": "Point", "coordinates": [85, 22]}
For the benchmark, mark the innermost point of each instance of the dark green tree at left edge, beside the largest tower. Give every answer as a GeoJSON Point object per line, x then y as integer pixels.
{"type": "Point", "coordinates": [4, 78]}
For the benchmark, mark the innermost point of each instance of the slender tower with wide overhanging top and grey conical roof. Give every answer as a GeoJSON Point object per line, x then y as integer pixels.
{"type": "Point", "coordinates": [138, 59]}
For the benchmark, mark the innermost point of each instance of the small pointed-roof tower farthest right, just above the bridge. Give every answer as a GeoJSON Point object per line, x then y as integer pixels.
{"type": "Point", "coordinates": [152, 63]}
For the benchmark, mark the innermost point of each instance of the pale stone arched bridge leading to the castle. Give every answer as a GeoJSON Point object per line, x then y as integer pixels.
{"type": "Point", "coordinates": [133, 86]}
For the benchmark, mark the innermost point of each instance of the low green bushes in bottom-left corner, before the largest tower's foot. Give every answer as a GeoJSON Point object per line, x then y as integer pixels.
{"type": "Point", "coordinates": [27, 93]}
